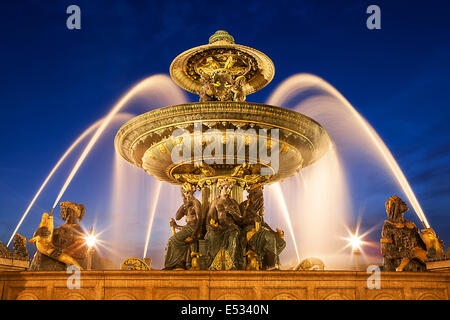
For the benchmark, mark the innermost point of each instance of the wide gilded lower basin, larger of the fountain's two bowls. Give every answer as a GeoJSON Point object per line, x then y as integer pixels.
{"type": "Point", "coordinates": [294, 141]}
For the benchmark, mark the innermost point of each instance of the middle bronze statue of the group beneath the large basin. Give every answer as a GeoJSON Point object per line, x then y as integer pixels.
{"type": "Point", "coordinates": [224, 247]}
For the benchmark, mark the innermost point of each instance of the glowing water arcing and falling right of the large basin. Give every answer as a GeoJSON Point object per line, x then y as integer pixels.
{"type": "Point", "coordinates": [320, 203]}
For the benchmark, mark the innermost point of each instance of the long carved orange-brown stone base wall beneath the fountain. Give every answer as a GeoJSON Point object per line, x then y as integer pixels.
{"type": "Point", "coordinates": [229, 285]}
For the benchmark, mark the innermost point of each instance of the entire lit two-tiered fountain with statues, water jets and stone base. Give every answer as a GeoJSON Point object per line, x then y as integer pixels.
{"type": "Point", "coordinates": [255, 165]}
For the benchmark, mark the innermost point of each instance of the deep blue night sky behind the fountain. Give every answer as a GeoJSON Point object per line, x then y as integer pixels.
{"type": "Point", "coordinates": [55, 82]}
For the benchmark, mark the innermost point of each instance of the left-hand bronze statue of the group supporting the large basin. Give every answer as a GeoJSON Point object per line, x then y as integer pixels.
{"type": "Point", "coordinates": [184, 242]}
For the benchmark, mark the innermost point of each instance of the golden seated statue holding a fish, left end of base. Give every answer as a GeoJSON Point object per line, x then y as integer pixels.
{"type": "Point", "coordinates": [63, 246]}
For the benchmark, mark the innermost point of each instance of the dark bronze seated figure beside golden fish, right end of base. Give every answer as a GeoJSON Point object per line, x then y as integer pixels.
{"type": "Point", "coordinates": [401, 244]}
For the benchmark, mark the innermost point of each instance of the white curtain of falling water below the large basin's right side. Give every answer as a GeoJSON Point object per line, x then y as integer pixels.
{"type": "Point", "coordinates": [315, 205]}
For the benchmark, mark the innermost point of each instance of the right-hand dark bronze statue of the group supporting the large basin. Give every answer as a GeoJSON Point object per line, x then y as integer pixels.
{"type": "Point", "coordinates": [257, 235]}
